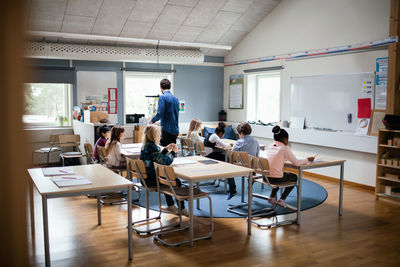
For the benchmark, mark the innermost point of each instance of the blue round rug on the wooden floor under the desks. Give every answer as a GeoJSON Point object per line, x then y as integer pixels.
{"type": "Point", "coordinates": [312, 195]}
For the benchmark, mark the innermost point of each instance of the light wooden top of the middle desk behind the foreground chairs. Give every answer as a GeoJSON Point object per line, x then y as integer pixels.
{"type": "Point", "coordinates": [201, 171]}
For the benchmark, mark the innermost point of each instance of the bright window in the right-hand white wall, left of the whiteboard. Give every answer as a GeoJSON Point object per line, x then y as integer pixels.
{"type": "Point", "coordinates": [263, 101]}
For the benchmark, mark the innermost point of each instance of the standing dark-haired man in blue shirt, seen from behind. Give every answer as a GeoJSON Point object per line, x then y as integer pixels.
{"type": "Point", "coordinates": [168, 113]}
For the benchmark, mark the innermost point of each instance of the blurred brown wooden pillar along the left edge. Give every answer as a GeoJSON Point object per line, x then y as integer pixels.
{"type": "Point", "coordinates": [13, 159]}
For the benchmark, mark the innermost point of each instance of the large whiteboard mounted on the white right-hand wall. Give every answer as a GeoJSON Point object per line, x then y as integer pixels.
{"type": "Point", "coordinates": [325, 100]}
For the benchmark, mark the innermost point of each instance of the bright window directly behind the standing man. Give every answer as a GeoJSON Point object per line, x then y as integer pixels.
{"type": "Point", "coordinates": [139, 92]}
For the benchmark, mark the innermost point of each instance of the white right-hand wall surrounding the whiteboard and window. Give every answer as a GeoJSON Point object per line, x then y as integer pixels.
{"type": "Point", "coordinates": [299, 25]}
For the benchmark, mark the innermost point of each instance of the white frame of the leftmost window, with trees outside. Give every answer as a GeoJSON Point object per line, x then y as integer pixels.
{"type": "Point", "coordinates": [68, 95]}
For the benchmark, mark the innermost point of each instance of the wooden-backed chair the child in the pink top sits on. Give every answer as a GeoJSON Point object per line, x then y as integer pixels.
{"type": "Point", "coordinates": [261, 168]}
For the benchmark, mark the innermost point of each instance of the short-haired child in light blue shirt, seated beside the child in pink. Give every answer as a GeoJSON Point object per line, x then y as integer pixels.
{"type": "Point", "coordinates": [246, 143]}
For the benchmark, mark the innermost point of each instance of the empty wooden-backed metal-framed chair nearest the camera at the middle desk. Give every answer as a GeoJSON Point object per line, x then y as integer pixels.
{"type": "Point", "coordinates": [166, 176]}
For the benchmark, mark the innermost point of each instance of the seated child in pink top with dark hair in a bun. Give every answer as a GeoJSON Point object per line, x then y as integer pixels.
{"type": "Point", "coordinates": [277, 153]}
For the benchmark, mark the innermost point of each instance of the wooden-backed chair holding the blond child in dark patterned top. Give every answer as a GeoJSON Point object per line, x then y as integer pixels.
{"type": "Point", "coordinates": [137, 170]}
